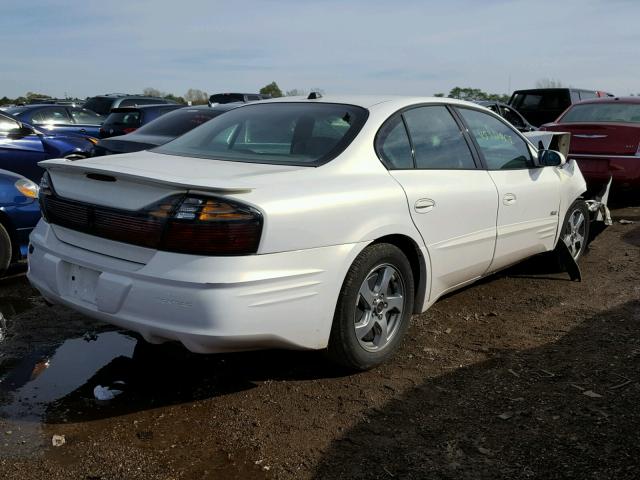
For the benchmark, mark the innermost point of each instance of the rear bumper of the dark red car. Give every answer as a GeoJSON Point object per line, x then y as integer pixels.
{"type": "Point", "coordinates": [624, 169]}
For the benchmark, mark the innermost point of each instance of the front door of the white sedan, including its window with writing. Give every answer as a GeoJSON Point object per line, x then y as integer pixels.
{"type": "Point", "coordinates": [529, 195]}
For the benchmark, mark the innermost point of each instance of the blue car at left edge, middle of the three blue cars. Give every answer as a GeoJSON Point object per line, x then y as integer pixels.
{"type": "Point", "coordinates": [23, 146]}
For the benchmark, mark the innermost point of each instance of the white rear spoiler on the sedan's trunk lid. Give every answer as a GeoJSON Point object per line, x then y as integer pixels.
{"type": "Point", "coordinates": [141, 177]}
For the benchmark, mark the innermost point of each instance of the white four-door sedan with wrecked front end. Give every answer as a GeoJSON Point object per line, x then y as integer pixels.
{"type": "Point", "coordinates": [307, 223]}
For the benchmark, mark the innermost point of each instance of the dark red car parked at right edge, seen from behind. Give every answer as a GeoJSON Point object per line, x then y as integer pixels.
{"type": "Point", "coordinates": [605, 139]}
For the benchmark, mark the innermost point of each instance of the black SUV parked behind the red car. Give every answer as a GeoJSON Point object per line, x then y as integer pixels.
{"type": "Point", "coordinates": [544, 105]}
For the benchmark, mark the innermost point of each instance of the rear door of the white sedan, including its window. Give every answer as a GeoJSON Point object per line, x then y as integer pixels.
{"type": "Point", "coordinates": [453, 203]}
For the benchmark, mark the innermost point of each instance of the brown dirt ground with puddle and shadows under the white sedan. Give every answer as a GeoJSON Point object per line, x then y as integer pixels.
{"type": "Point", "coordinates": [523, 375]}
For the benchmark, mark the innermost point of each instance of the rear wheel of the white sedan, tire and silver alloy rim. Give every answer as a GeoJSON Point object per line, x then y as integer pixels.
{"type": "Point", "coordinates": [374, 308]}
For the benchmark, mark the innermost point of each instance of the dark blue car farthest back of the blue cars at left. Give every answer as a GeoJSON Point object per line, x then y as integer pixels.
{"type": "Point", "coordinates": [56, 118]}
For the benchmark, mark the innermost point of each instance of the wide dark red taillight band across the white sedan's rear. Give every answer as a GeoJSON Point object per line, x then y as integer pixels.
{"type": "Point", "coordinates": [196, 225]}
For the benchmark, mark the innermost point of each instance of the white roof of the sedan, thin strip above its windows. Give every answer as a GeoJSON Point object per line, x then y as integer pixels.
{"type": "Point", "coordinates": [368, 101]}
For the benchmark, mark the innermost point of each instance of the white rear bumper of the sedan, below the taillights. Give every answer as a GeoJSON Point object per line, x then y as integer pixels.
{"type": "Point", "coordinates": [210, 304]}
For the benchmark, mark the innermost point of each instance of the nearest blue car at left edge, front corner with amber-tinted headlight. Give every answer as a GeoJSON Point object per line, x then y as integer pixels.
{"type": "Point", "coordinates": [19, 214]}
